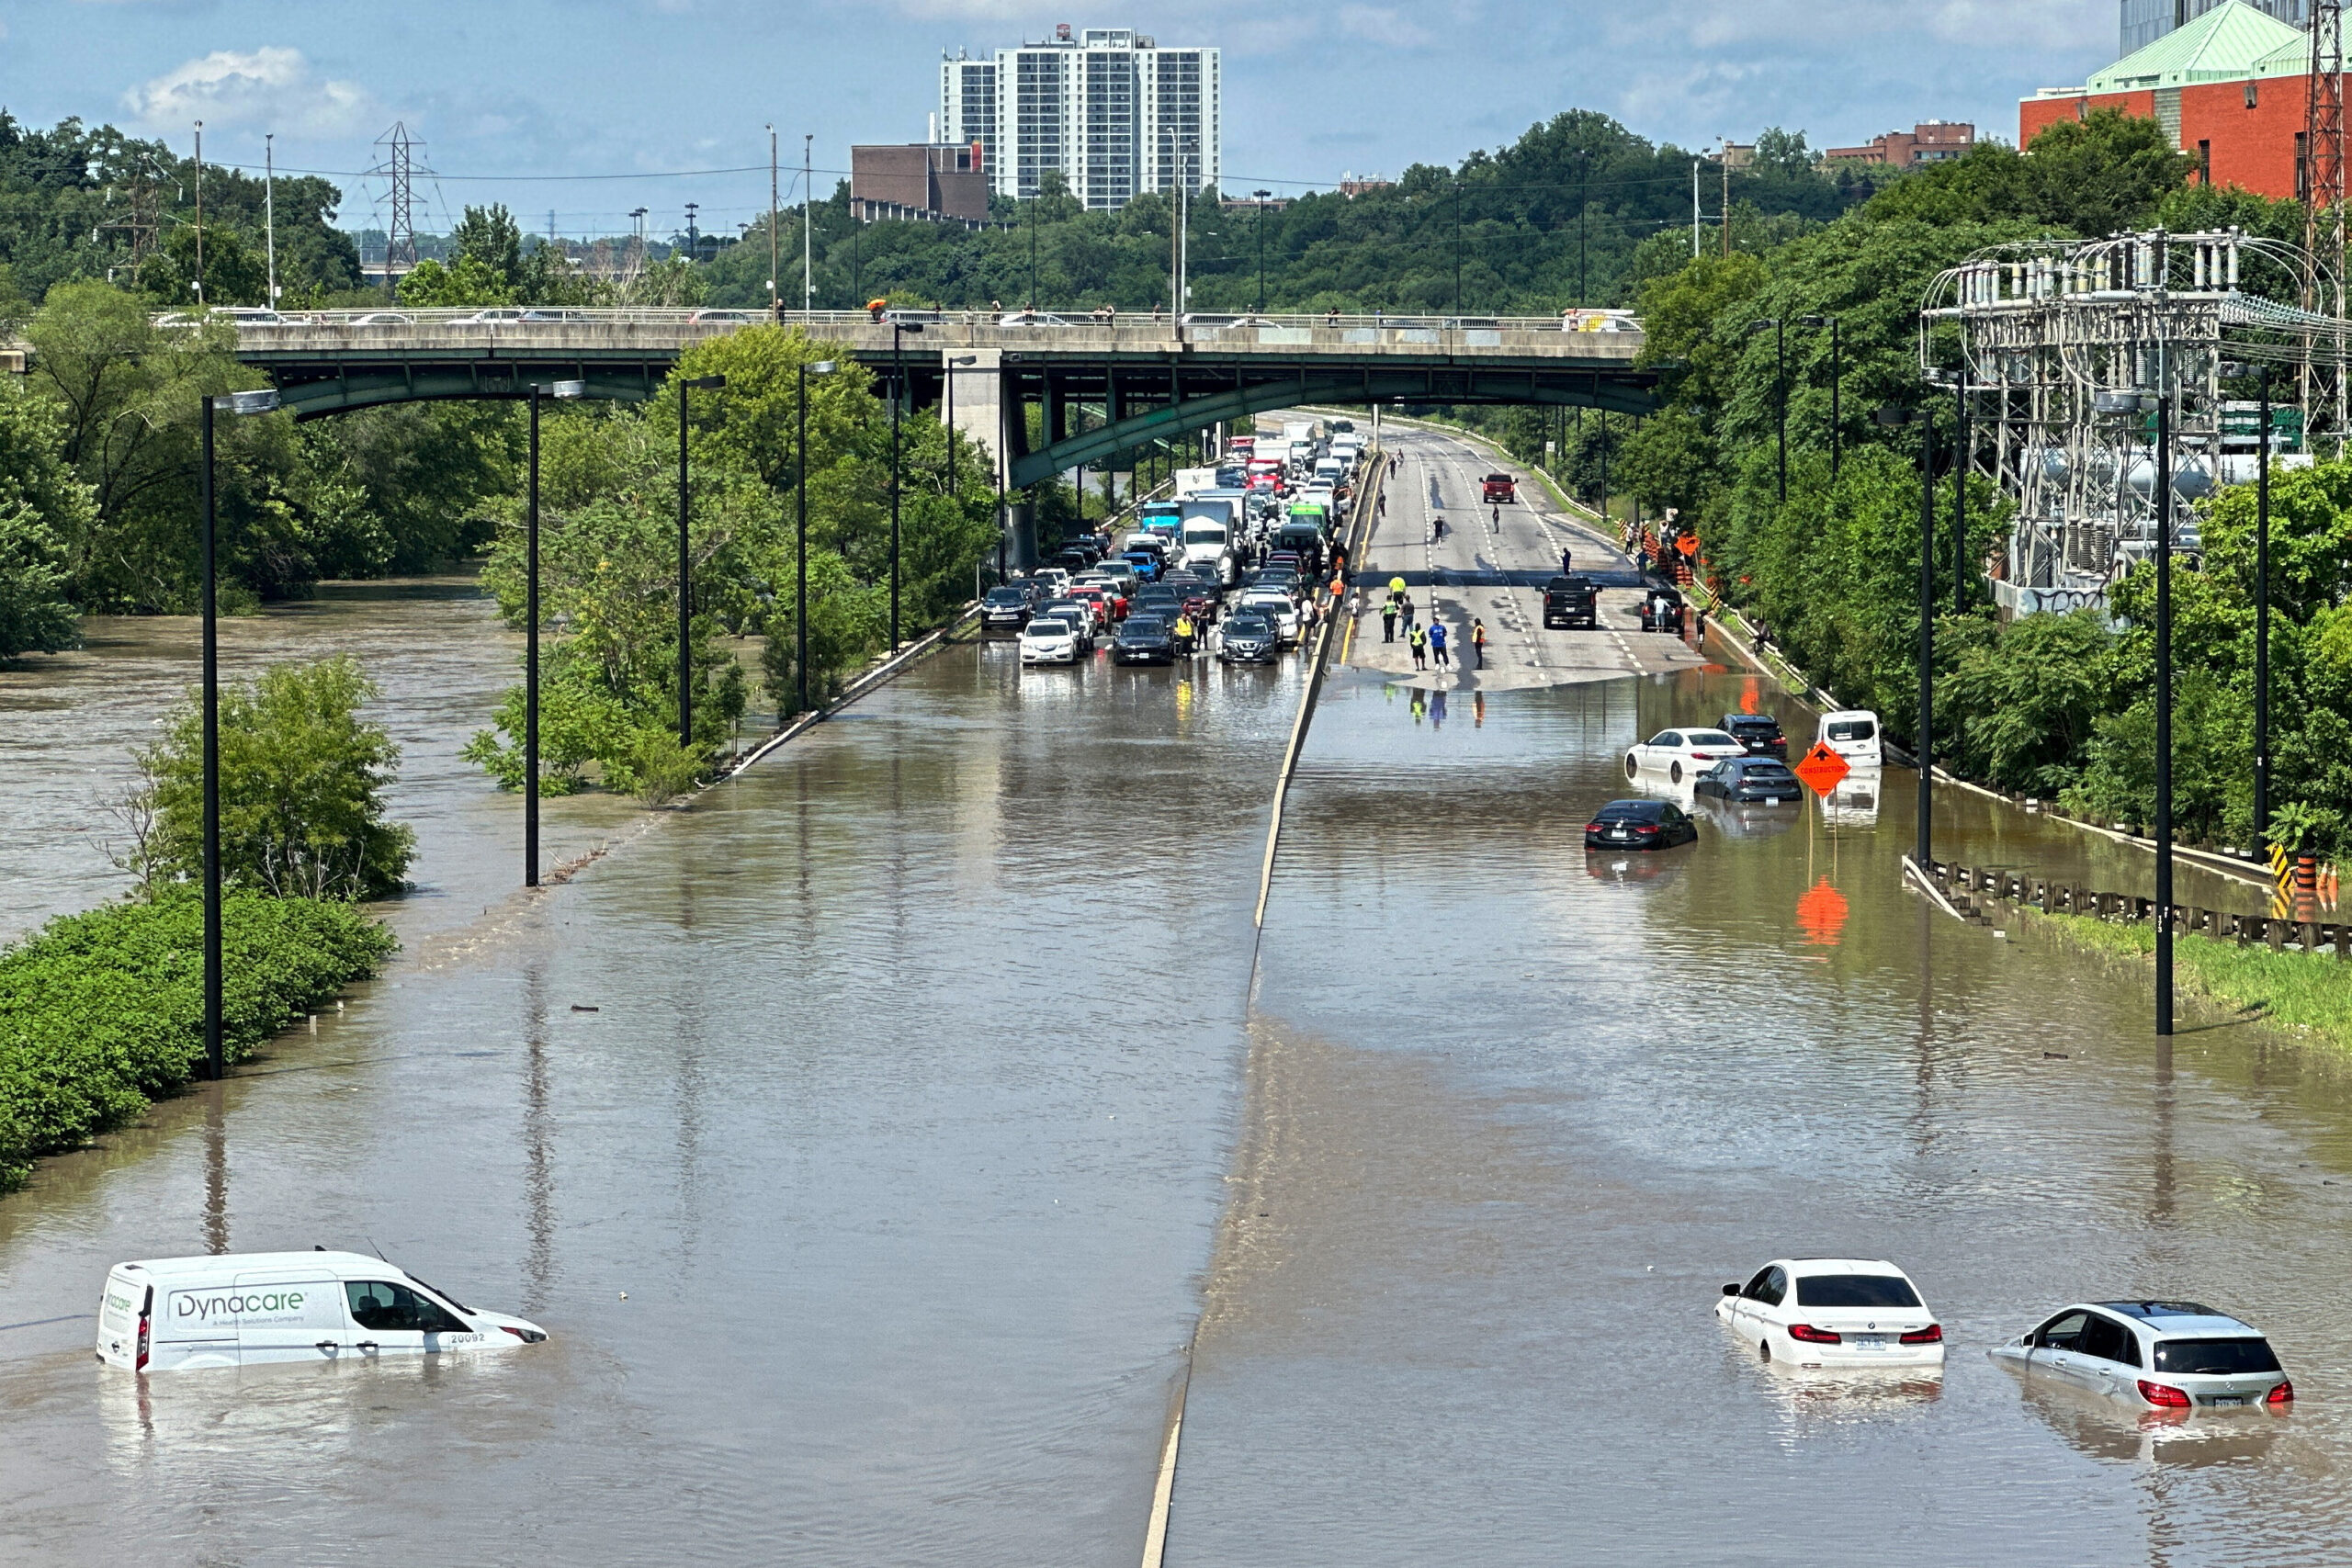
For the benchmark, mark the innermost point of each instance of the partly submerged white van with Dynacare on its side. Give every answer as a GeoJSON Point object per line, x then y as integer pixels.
{"type": "Point", "coordinates": [250, 1308]}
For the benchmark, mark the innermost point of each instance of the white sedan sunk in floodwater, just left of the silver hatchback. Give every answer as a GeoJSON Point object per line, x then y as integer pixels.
{"type": "Point", "coordinates": [1845, 1313]}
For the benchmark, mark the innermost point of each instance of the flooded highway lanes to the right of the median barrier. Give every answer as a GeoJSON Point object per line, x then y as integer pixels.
{"type": "Point", "coordinates": [1518, 1113]}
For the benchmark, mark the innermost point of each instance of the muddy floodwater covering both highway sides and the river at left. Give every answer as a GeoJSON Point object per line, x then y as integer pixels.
{"type": "Point", "coordinates": [876, 1134]}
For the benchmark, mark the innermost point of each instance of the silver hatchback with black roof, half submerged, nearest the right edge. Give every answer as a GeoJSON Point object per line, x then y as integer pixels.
{"type": "Point", "coordinates": [2153, 1355]}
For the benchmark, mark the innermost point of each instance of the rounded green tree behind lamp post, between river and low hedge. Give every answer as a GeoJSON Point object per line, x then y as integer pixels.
{"type": "Point", "coordinates": [302, 791]}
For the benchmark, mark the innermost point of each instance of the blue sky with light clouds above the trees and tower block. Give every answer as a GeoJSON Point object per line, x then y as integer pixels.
{"type": "Point", "coordinates": [502, 91]}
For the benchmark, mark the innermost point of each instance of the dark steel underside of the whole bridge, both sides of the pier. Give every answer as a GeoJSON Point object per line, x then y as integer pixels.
{"type": "Point", "coordinates": [1130, 398]}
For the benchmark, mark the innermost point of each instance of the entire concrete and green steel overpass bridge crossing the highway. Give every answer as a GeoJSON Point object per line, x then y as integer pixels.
{"type": "Point", "coordinates": [1142, 377]}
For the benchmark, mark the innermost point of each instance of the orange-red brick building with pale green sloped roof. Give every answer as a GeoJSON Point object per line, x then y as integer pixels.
{"type": "Point", "coordinates": [2231, 88]}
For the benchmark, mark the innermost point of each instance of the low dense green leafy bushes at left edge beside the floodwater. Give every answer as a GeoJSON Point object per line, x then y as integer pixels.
{"type": "Point", "coordinates": [105, 1012]}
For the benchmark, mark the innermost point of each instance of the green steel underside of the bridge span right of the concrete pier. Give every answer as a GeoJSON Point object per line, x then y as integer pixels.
{"type": "Point", "coordinates": [1147, 403]}
